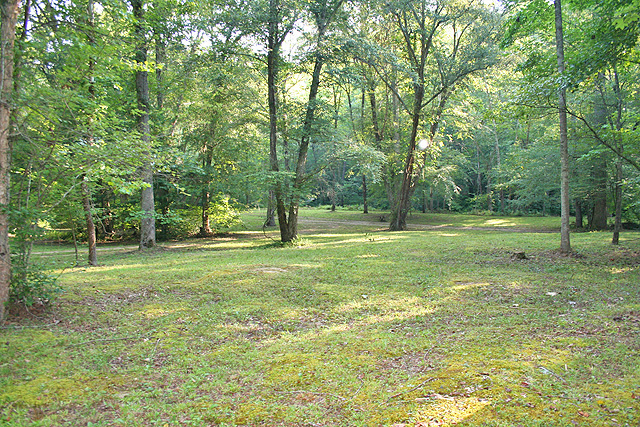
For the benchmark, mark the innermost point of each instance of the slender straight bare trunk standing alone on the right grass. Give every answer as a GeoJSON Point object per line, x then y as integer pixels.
{"type": "Point", "coordinates": [565, 241]}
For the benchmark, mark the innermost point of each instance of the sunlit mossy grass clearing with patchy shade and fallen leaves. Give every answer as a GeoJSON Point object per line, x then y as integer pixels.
{"type": "Point", "coordinates": [352, 326]}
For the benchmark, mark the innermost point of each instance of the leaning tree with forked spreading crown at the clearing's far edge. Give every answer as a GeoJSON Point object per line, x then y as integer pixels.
{"type": "Point", "coordinates": [443, 44]}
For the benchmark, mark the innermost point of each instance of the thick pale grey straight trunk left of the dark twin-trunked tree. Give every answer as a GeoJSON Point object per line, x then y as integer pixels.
{"type": "Point", "coordinates": [147, 204]}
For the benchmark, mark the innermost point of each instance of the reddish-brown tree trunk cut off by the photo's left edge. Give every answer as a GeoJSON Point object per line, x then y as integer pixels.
{"type": "Point", "coordinates": [9, 12]}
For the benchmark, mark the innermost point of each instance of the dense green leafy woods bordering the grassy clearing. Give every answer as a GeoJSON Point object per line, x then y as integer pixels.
{"type": "Point", "coordinates": [163, 118]}
